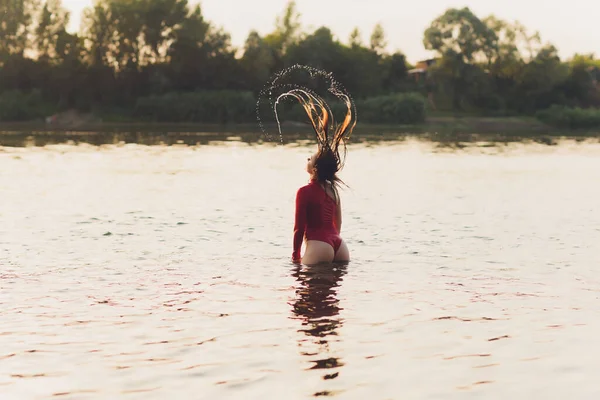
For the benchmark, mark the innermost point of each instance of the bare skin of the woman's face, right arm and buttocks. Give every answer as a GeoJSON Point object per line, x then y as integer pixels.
{"type": "Point", "coordinates": [320, 252]}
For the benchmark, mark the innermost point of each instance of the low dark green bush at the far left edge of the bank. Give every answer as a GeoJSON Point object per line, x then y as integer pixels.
{"type": "Point", "coordinates": [19, 106]}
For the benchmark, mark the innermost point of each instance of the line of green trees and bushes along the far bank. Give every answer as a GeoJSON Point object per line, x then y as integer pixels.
{"type": "Point", "coordinates": [163, 60]}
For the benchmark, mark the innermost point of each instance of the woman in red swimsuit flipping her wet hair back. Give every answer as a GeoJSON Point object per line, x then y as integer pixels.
{"type": "Point", "coordinates": [318, 216]}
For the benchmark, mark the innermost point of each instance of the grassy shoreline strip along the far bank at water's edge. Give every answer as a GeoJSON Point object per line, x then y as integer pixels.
{"type": "Point", "coordinates": [445, 127]}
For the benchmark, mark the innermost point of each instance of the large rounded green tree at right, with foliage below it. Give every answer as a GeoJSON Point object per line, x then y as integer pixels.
{"type": "Point", "coordinates": [494, 67]}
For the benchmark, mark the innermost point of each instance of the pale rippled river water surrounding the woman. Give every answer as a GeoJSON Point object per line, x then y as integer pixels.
{"type": "Point", "coordinates": [152, 272]}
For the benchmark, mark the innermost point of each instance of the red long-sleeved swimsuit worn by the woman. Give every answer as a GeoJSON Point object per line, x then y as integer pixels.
{"type": "Point", "coordinates": [315, 218]}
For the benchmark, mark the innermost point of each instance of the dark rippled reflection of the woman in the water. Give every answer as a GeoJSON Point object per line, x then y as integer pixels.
{"type": "Point", "coordinates": [317, 306]}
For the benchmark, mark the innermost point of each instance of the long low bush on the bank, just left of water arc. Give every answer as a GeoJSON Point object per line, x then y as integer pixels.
{"type": "Point", "coordinates": [205, 107]}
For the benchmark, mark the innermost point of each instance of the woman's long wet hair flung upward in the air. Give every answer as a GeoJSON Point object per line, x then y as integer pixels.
{"type": "Point", "coordinates": [331, 137]}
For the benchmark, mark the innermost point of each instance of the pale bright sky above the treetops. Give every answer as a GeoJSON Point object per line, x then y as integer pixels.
{"type": "Point", "coordinates": [573, 26]}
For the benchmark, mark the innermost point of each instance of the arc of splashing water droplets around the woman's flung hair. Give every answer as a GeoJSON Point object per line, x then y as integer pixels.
{"type": "Point", "coordinates": [284, 85]}
